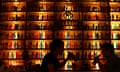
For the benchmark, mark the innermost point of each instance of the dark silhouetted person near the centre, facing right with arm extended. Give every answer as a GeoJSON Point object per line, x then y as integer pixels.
{"type": "Point", "coordinates": [50, 62]}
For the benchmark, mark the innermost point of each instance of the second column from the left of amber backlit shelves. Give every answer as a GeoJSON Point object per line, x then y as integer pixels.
{"type": "Point", "coordinates": [39, 33]}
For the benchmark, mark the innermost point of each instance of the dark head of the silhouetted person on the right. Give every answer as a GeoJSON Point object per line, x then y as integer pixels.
{"type": "Point", "coordinates": [107, 49]}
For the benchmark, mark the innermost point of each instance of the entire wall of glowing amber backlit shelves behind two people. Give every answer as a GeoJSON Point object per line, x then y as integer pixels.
{"type": "Point", "coordinates": [82, 25]}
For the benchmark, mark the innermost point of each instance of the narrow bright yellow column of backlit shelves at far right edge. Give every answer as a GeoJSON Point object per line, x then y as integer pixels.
{"type": "Point", "coordinates": [115, 25]}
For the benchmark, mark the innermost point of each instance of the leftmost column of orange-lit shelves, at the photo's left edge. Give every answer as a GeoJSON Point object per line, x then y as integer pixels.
{"type": "Point", "coordinates": [12, 25]}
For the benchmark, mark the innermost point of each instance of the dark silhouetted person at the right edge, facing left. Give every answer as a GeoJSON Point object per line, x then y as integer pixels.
{"type": "Point", "coordinates": [110, 63]}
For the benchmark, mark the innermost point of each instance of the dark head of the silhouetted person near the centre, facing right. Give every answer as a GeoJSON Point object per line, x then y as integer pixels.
{"type": "Point", "coordinates": [57, 46]}
